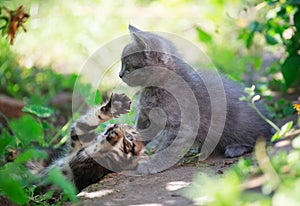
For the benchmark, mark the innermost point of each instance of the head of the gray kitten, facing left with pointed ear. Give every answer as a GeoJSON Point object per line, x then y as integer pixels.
{"type": "Point", "coordinates": [146, 51]}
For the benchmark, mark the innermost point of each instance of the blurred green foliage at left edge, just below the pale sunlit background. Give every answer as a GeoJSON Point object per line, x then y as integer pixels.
{"type": "Point", "coordinates": [30, 84]}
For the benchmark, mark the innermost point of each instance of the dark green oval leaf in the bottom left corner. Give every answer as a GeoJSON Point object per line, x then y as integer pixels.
{"type": "Point", "coordinates": [12, 189]}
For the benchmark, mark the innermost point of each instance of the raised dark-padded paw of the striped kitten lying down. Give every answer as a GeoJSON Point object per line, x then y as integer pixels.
{"type": "Point", "coordinates": [118, 104]}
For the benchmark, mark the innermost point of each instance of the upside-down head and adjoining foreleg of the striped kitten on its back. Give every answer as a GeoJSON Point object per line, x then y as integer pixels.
{"type": "Point", "coordinates": [118, 148]}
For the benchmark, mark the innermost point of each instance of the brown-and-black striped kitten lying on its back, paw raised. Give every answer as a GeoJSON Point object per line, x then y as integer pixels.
{"type": "Point", "coordinates": [92, 154]}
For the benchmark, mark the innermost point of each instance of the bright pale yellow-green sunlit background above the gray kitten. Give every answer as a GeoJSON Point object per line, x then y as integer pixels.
{"type": "Point", "coordinates": [64, 34]}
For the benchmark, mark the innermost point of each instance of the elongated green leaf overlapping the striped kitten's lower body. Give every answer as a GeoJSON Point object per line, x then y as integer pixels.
{"type": "Point", "coordinates": [56, 177]}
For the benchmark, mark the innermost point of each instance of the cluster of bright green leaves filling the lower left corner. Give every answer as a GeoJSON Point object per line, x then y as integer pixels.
{"type": "Point", "coordinates": [17, 182]}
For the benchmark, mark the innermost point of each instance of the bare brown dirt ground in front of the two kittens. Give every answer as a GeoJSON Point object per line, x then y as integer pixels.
{"type": "Point", "coordinates": [165, 188]}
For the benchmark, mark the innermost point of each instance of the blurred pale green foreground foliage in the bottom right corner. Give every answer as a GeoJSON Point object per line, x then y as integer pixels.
{"type": "Point", "coordinates": [249, 183]}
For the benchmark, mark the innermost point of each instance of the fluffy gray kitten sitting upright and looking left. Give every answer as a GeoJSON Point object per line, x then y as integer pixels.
{"type": "Point", "coordinates": [179, 107]}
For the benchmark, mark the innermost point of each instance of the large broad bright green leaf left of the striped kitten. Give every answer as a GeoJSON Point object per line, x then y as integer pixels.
{"type": "Point", "coordinates": [27, 129]}
